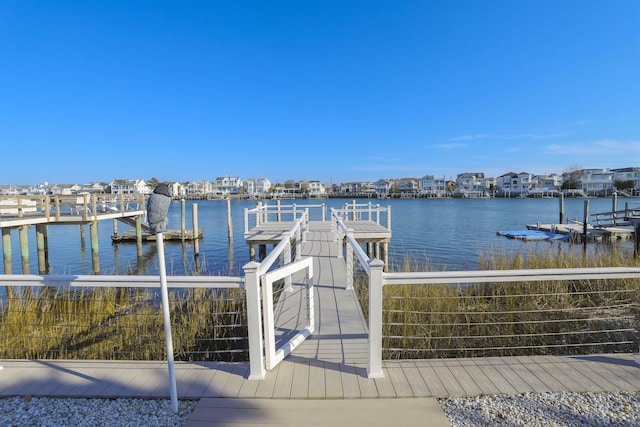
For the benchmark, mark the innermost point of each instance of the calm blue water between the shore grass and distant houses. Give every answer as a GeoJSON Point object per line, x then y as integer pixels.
{"type": "Point", "coordinates": [449, 233]}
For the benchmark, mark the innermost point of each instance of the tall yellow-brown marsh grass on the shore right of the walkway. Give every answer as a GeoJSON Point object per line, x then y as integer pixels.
{"type": "Point", "coordinates": [525, 318]}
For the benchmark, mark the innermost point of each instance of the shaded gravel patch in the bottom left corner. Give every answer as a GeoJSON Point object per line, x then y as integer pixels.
{"type": "Point", "coordinates": [67, 412]}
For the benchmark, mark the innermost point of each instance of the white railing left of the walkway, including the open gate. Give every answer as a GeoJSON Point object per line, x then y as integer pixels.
{"type": "Point", "coordinates": [257, 282]}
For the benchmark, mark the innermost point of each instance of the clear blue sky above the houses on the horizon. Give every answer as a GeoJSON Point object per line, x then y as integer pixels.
{"type": "Point", "coordinates": [327, 90]}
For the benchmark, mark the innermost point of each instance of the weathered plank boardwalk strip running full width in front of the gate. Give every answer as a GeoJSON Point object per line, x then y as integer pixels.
{"type": "Point", "coordinates": [309, 379]}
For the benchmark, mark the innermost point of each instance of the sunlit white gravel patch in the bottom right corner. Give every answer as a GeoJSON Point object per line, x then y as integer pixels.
{"type": "Point", "coordinates": [620, 409]}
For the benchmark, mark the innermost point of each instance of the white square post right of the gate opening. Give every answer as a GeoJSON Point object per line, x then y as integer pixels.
{"type": "Point", "coordinates": [375, 319]}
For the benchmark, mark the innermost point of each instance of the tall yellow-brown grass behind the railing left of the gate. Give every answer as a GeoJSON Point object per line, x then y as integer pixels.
{"type": "Point", "coordinates": [122, 323]}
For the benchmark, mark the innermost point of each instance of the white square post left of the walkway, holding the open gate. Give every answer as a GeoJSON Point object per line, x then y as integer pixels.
{"type": "Point", "coordinates": [254, 321]}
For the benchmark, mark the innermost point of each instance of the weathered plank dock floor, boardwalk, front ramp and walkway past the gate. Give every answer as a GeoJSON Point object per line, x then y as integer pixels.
{"type": "Point", "coordinates": [324, 380]}
